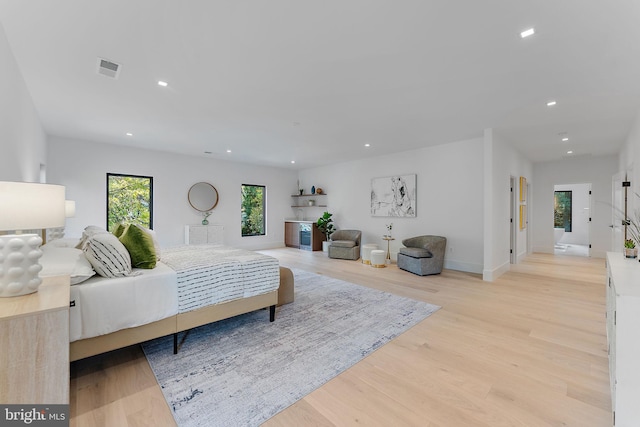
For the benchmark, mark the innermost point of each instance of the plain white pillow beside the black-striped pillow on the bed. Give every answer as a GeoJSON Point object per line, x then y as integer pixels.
{"type": "Point", "coordinates": [56, 261]}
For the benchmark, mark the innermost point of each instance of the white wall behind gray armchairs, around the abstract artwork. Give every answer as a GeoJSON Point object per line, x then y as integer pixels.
{"type": "Point", "coordinates": [449, 198]}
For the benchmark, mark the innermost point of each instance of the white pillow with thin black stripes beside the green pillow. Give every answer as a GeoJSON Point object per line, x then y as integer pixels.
{"type": "Point", "coordinates": [107, 255]}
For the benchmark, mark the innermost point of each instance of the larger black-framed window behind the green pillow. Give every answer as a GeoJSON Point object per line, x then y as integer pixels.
{"type": "Point", "coordinates": [129, 200]}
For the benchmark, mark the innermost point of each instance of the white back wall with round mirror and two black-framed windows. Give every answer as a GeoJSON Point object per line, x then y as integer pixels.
{"type": "Point", "coordinates": [82, 167]}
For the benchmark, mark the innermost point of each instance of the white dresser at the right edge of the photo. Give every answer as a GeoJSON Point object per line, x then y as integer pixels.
{"type": "Point", "coordinates": [623, 335]}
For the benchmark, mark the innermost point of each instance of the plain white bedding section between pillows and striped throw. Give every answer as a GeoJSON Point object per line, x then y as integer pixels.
{"type": "Point", "coordinates": [104, 305]}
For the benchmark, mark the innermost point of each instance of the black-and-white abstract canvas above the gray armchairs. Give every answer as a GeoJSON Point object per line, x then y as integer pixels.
{"type": "Point", "coordinates": [394, 196]}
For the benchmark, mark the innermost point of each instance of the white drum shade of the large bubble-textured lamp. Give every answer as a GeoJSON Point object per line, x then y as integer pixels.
{"type": "Point", "coordinates": [25, 205]}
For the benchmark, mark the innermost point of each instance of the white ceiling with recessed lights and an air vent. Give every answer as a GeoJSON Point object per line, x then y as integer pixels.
{"type": "Point", "coordinates": [313, 81]}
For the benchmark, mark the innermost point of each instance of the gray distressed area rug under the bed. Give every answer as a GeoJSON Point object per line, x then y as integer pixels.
{"type": "Point", "coordinates": [244, 370]}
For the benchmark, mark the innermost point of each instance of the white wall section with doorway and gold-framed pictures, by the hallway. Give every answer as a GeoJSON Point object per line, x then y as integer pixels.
{"type": "Point", "coordinates": [502, 162]}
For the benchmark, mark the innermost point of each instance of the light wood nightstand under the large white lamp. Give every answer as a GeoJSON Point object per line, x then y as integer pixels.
{"type": "Point", "coordinates": [34, 338]}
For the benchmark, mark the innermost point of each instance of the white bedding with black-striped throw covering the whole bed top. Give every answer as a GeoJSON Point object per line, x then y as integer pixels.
{"type": "Point", "coordinates": [189, 277]}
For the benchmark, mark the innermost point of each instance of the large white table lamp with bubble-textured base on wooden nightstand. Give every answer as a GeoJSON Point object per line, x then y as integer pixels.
{"type": "Point", "coordinates": [26, 206]}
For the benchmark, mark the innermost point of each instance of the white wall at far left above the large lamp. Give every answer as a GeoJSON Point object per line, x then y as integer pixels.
{"type": "Point", "coordinates": [22, 140]}
